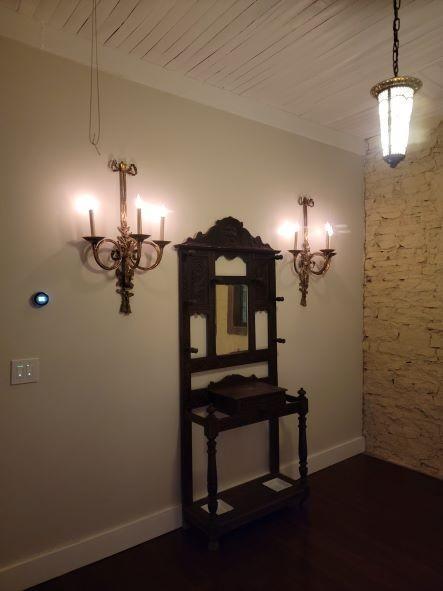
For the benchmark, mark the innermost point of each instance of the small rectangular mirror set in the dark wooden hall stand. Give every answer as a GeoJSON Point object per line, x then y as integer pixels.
{"type": "Point", "coordinates": [231, 304]}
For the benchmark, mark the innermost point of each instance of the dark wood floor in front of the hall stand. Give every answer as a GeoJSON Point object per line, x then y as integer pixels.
{"type": "Point", "coordinates": [369, 525]}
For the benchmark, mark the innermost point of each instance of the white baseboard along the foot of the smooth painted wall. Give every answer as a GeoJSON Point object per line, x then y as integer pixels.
{"type": "Point", "coordinates": [43, 567]}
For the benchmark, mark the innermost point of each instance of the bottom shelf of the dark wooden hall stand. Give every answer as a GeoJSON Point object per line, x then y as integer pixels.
{"type": "Point", "coordinates": [249, 501]}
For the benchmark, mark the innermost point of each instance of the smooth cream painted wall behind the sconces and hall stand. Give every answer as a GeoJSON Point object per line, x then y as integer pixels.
{"type": "Point", "coordinates": [94, 444]}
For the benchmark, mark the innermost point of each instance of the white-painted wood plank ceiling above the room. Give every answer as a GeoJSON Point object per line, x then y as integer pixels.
{"type": "Point", "coordinates": [316, 59]}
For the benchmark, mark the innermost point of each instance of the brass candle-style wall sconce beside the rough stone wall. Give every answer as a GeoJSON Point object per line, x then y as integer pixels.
{"type": "Point", "coordinates": [307, 262]}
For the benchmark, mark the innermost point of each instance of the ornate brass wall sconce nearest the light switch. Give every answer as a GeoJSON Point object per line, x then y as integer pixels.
{"type": "Point", "coordinates": [127, 248]}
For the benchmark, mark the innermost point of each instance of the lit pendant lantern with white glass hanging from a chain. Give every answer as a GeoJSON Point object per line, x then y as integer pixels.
{"type": "Point", "coordinates": [395, 100]}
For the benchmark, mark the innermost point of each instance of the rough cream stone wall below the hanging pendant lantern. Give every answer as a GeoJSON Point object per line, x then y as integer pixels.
{"type": "Point", "coordinates": [403, 319]}
